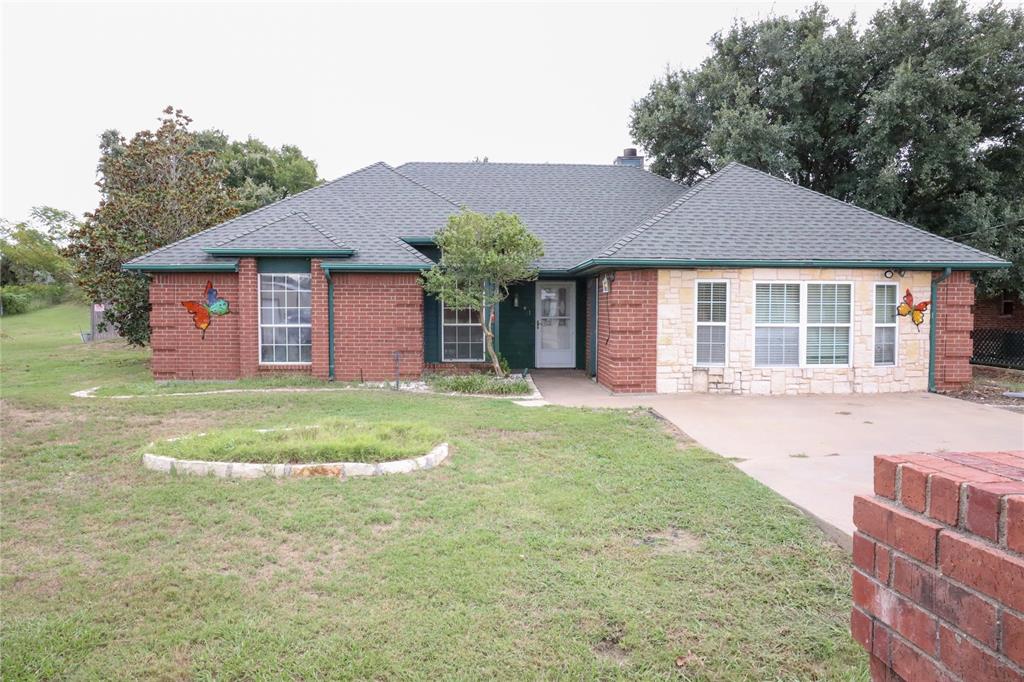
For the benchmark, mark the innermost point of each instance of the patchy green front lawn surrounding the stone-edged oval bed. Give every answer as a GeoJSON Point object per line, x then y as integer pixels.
{"type": "Point", "coordinates": [556, 543]}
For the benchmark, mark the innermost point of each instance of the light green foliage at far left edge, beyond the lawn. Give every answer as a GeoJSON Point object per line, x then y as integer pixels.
{"type": "Point", "coordinates": [30, 251]}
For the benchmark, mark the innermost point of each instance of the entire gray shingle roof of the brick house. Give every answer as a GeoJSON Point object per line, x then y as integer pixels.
{"type": "Point", "coordinates": [582, 214]}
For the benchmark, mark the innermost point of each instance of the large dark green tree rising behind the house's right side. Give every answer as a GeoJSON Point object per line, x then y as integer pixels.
{"type": "Point", "coordinates": [920, 116]}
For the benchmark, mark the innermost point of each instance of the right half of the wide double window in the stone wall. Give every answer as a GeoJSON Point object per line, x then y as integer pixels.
{"type": "Point", "coordinates": [829, 315]}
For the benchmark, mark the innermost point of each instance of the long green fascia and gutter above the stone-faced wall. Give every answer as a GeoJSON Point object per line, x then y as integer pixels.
{"type": "Point", "coordinates": [604, 264]}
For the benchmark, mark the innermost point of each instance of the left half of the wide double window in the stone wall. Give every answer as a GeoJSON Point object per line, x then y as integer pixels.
{"type": "Point", "coordinates": [777, 324]}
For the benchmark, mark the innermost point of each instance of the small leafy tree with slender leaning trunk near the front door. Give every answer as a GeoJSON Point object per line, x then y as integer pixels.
{"type": "Point", "coordinates": [482, 258]}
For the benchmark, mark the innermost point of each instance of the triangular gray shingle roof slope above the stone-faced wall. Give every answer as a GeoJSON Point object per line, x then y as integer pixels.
{"type": "Point", "coordinates": [743, 215]}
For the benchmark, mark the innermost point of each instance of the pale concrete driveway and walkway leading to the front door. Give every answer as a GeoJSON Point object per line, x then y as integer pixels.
{"type": "Point", "coordinates": [815, 450]}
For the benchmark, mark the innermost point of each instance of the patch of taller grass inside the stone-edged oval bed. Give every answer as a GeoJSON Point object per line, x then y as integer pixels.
{"type": "Point", "coordinates": [329, 441]}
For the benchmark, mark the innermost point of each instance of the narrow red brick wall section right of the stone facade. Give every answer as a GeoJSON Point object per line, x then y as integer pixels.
{"type": "Point", "coordinates": [954, 323]}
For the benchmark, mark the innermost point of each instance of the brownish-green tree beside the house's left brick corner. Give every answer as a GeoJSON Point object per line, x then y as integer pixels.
{"type": "Point", "coordinates": [156, 189]}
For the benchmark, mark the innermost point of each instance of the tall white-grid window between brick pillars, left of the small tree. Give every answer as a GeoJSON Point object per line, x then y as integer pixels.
{"type": "Point", "coordinates": [285, 319]}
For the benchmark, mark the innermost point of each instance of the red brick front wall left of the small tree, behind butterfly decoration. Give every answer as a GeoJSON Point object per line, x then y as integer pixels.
{"type": "Point", "coordinates": [375, 315]}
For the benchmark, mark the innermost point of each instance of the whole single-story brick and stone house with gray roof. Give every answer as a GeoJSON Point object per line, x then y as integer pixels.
{"type": "Point", "coordinates": [743, 284]}
